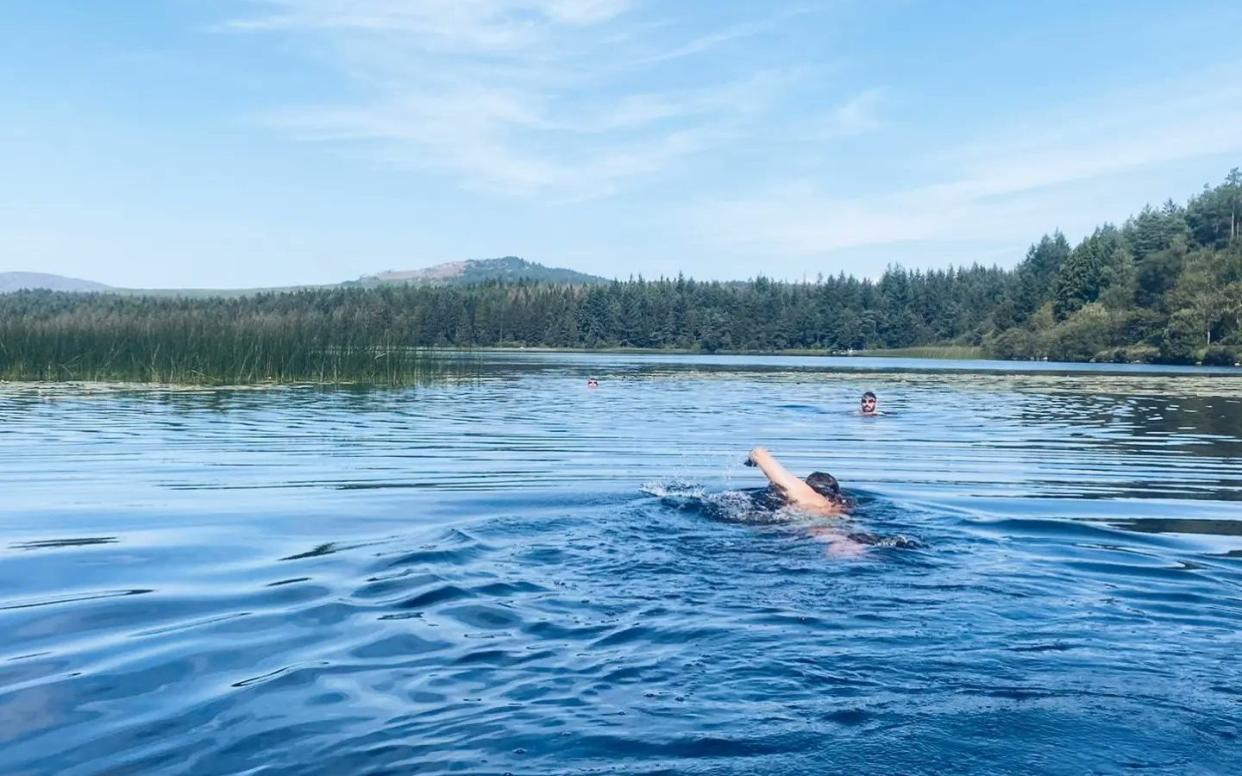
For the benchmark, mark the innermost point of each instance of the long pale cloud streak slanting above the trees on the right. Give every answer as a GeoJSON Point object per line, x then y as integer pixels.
{"type": "Point", "coordinates": [997, 188]}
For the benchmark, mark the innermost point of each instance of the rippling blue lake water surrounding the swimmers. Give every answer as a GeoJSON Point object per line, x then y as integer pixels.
{"type": "Point", "coordinates": [483, 577]}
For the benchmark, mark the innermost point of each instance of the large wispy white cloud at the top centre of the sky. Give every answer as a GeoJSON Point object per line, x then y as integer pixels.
{"type": "Point", "coordinates": [522, 97]}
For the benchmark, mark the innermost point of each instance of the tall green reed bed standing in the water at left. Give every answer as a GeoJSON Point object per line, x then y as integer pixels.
{"type": "Point", "coordinates": [219, 342]}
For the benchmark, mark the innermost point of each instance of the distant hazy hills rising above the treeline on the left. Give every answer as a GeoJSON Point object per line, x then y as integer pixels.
{"type": "Point", "coordinates": [509, 269]}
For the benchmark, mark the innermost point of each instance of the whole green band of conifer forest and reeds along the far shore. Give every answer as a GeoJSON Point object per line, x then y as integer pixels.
{"type": "Point", "coordinates": [1166, 286]}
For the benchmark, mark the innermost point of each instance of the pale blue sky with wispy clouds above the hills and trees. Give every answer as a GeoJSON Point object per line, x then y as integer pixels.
{"type": "Point", "coordinates": [237, 143]}
